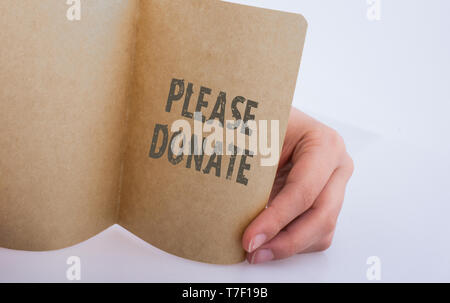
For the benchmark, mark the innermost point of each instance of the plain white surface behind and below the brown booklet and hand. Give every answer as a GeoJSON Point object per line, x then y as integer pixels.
{"type": "Point", "coordinates": [385, 86]}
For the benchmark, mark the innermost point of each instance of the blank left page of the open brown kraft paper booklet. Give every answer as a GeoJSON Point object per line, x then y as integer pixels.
{"type": "Point", "coordinates": [62, 114]}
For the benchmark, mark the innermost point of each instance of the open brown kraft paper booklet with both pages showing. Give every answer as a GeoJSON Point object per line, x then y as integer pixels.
{"type": "Point", "coordinates": [84, 106]}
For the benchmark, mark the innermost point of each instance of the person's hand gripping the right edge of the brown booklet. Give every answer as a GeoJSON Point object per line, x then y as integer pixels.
{"type": "Point", "coordinates": [307, 194]}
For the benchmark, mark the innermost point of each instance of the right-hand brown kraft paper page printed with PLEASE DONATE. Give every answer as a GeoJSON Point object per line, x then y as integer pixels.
{"type": "Point", "coordinates": [238, 50]}
